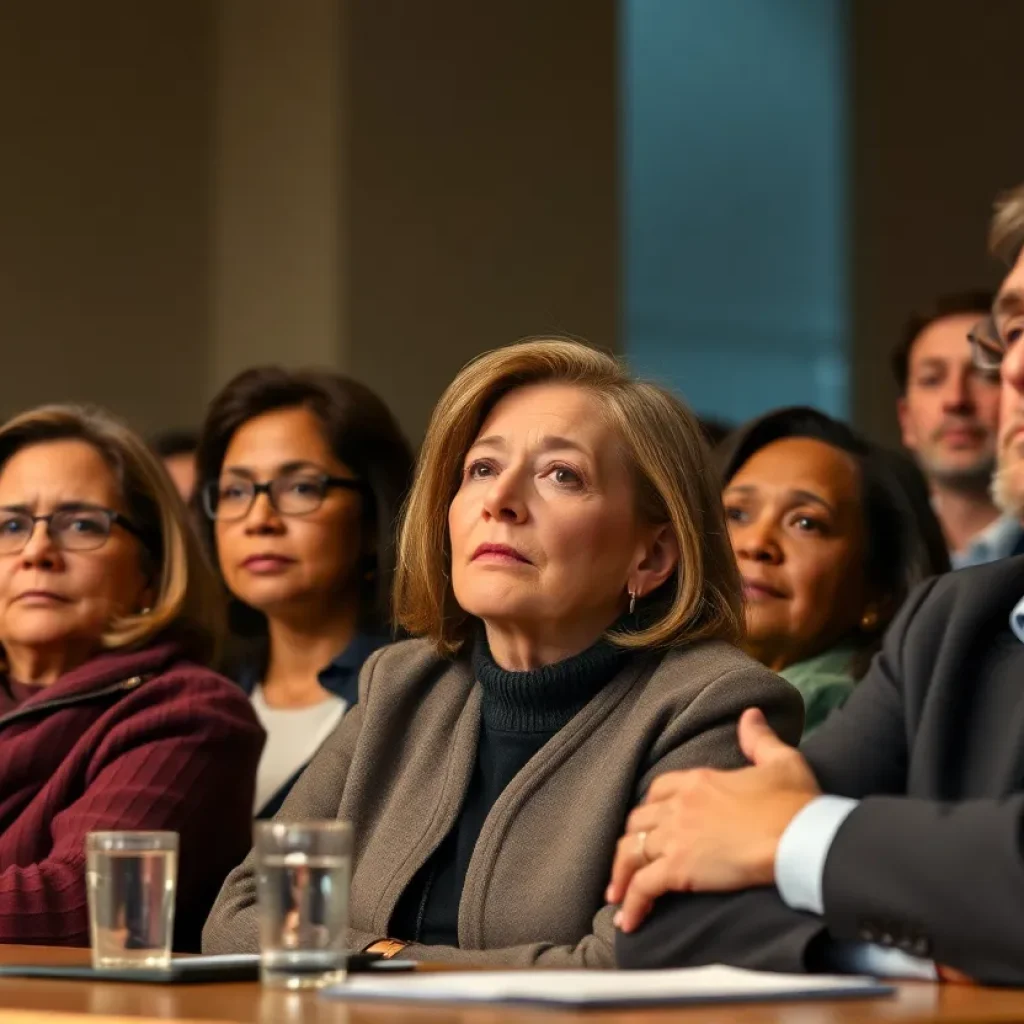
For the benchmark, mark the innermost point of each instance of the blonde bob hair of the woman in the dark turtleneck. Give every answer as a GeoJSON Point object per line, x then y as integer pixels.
{"type": "Point", "coordinates": [675, 485]}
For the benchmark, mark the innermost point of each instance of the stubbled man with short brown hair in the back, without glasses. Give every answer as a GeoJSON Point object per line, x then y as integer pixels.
{"type": "Point", "coordinates": [949, 415]}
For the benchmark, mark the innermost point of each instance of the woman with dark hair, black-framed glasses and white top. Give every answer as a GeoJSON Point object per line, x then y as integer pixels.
{"type": "Point", "coordinates": [303, 478]}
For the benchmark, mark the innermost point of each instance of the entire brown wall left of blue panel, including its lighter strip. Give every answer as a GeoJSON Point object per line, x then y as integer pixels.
{"type": "Point", "coordinates": [386, 187]}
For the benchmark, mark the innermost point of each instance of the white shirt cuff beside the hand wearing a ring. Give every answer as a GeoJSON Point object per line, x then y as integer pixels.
{"type": "Point", "coordinates": [800, 860]}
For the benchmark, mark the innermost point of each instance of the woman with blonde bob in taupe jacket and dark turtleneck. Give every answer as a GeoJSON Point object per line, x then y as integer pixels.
{"type": "Point", "coordinates": [565, 564]}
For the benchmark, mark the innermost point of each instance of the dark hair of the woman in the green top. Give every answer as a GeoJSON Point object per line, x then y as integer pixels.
{"type": "Point", "coordinates": [905, 542]}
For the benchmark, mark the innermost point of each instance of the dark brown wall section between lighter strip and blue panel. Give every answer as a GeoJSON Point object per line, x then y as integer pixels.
{"type": "Point", "coordinates": [484, 176]}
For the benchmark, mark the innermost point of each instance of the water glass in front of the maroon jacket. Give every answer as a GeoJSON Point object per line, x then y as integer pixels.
{"type": "Point", "coordinates": [132, 879]}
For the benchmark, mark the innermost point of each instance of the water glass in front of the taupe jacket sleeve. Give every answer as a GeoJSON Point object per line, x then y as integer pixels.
{"type": "Point", "coordinates": [303, 873]}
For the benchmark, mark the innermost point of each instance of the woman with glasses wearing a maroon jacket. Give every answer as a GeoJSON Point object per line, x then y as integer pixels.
{"type": "Point", "coordinates": [108, 718]}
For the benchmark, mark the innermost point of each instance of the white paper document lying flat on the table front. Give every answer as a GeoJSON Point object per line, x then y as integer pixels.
{"type": "Point", "coordinates": [605, 989]}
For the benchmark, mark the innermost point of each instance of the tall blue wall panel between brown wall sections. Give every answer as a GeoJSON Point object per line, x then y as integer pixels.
{"type": "Point", "coordinates": [735, 235]}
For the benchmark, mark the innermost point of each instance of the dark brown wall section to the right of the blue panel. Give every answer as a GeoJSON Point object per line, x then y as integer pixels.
{"type": "Point", "coordinates": [937, 133]}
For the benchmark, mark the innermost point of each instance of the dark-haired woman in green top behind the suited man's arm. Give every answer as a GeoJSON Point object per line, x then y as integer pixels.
{"type": "Point", "coordinates": [830, 534]}
